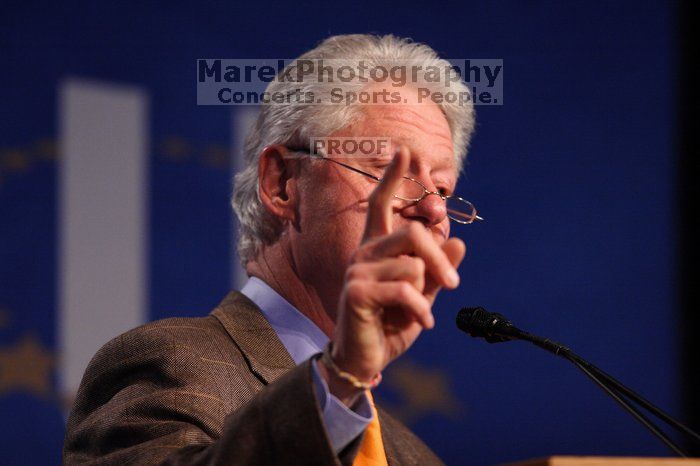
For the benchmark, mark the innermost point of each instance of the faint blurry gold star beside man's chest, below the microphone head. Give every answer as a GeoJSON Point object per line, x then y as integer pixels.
{"type": "Point", "coordinates": [423, 390]}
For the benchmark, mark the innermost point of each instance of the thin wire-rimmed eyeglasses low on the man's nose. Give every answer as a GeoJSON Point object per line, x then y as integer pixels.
{"type": "Point", "coordinates": [413, 191]}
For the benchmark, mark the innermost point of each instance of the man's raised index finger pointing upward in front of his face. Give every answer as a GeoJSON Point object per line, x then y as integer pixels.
{"type": "Point", "coordinates": [380, 211]}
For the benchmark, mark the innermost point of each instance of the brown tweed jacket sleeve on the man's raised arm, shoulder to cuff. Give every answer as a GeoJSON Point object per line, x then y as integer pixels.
{"type": "Point", "coordinates": [153, 397]}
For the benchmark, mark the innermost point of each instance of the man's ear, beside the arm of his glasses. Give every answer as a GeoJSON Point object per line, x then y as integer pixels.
{"type": "Point", "coordinates": [276, 182]}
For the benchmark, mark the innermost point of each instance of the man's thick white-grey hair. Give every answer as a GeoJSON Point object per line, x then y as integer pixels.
{"type": "Point", "coordinates": [293, 124]}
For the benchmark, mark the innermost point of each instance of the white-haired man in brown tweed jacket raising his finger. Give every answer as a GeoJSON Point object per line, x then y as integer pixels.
{"type": "Point", "coordinates": [345, 257]}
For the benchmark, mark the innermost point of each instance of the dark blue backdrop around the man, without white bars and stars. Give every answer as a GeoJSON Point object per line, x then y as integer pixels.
{"type": "Point", "coordinates": [574, 174]}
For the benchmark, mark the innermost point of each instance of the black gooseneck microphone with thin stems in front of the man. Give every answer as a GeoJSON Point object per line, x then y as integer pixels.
{"type": "Point", "coordinates": [495, 328]}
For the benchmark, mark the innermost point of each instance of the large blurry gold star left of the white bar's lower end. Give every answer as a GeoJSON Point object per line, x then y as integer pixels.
{"type": "Point", "coordinates": [26, 366]}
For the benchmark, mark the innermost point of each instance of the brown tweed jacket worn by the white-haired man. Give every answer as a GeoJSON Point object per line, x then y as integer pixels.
{"type": "Point", "coordinates": [220, 389]}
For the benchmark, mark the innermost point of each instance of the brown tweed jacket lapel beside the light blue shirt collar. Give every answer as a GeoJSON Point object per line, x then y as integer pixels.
{"type": "Point", "coordinates": [253, 334]}
